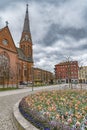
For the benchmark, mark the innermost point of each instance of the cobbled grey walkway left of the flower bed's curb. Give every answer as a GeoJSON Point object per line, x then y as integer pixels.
{"type": "Point", "coordinates": [6, 110]}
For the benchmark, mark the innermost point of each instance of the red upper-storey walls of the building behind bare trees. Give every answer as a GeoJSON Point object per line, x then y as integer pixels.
{"type": "Point", "coordinates": [67, 70]}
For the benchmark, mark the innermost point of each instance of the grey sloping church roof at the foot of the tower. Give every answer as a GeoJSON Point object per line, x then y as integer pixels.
{"type": "Point", "coordinates": [22, 56]}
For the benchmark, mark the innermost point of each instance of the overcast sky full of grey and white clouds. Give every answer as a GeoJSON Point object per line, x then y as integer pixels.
{"type": "Point", "coordinates": [58, 28]}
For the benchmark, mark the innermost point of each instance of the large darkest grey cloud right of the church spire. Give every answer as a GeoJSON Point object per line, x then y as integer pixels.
{"type": "Point", "coordinates": [57, 32]}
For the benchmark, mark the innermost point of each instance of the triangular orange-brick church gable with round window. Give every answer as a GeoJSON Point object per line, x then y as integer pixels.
{"type": "Point", "coordinates": [6, 40]}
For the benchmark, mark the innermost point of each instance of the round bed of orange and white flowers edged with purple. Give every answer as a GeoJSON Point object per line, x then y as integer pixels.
{"type": "Point", "coordinates": [56, 110]}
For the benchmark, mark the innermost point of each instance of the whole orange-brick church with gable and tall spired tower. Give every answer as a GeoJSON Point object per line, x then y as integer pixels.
{"type": "Point", "coordinates": [16, 63]}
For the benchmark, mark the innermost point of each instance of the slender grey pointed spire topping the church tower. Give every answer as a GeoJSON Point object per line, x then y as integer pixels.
{"type": "Point", "coordinates": [26, 27]}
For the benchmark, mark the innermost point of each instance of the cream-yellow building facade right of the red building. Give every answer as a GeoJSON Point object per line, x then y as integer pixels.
{"type": "Point", "coordinates": [82, 74]}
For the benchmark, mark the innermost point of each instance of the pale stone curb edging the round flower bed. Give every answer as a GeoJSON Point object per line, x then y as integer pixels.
{"type": "Point", "coordinates": [20, 121]}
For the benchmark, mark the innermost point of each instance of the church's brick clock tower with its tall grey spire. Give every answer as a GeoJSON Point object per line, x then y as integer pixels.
{"type": "Point", "coordinates": [26, 41]}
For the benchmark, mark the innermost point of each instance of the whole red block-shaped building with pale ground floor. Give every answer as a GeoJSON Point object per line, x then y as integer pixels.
{"type": "Point", "coordinates": [66, 72]}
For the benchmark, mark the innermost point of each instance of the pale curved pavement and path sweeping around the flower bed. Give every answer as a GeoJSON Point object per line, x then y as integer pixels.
{"type": "Point", "coordinates": [7, 101]}
